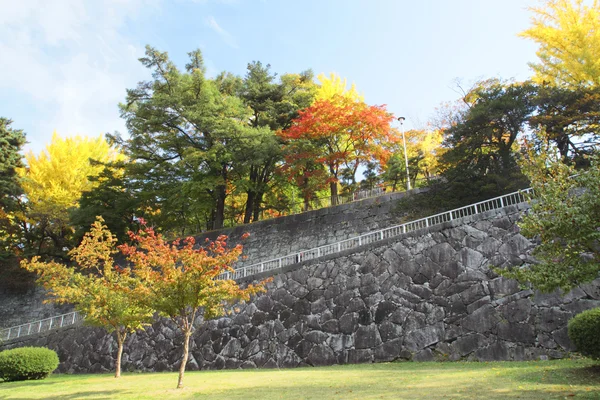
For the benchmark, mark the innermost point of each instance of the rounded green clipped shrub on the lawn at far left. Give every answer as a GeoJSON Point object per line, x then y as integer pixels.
{"type": "Point", "coordinates": [27, 363]}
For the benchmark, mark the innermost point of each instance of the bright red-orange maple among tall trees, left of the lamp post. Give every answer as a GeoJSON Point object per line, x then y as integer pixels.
{"type": "Point", "coordinates": [334, 133]}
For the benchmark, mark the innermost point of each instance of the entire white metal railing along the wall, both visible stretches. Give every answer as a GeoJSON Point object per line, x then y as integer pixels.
{"type": "Point", "coordinates": [311, 254]}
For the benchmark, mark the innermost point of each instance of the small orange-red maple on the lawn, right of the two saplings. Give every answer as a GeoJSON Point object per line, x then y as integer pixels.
{"type": "Point", "coordinates": [181, 280]}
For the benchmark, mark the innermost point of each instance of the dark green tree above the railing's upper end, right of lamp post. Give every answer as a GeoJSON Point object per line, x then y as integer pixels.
{"type": "Point", "coordinates": [481, 159]}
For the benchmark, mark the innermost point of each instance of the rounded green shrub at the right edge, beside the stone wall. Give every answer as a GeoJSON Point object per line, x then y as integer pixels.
{"type": "Point", "coordinates": [584, 332]}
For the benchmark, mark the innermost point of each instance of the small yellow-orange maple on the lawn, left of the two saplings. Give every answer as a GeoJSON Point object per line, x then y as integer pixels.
{"type": "Point", "coordinates": [105, 293]}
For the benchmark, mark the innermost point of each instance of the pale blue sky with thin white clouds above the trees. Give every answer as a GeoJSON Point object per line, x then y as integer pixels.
{"type": "Point", "coordinates": [65, 64]}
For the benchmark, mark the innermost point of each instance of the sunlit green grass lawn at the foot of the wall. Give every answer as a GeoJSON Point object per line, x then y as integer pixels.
{"type": "Point", "coordinates": [495, 380]}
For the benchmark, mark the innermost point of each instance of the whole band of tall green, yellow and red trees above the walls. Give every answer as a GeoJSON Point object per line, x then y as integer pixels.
{"type": "Point", "coordinates": [207, 151]}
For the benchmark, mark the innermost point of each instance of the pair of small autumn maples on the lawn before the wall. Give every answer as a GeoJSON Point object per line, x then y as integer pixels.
{"type": "Point", "coordinates": [178, 280]}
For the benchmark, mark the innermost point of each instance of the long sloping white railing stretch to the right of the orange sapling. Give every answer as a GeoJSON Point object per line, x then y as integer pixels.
{"type": "Point", "coordinates": [371, 237]}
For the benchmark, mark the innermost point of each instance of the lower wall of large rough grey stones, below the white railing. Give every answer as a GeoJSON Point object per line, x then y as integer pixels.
{"type": "Point", "coordinates": [428, 295]}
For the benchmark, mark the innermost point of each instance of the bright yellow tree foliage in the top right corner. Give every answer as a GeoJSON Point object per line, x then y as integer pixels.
{"type": "Point", "coordinates": [568, 35]}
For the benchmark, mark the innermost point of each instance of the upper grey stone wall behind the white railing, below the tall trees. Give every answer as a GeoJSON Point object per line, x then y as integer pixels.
{"type": "Point", "coordinates": [268, 239]}
